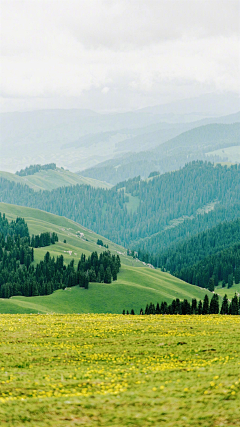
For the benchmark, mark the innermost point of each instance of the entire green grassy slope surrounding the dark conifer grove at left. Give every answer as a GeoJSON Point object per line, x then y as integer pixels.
{"type": "Point", "coordinates": [134, 288]}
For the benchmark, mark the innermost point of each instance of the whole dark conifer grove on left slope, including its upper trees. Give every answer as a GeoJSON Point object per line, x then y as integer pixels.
{"type": "Point", "coordinates": [18, 276]}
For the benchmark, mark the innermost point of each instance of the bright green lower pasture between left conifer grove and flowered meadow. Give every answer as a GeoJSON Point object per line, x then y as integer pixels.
{"type": "Point", "coordinates": [134, 288]}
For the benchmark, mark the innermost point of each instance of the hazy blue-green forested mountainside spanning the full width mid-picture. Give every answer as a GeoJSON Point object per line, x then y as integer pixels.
{"type": "Point", "coordinates": [169, 207]}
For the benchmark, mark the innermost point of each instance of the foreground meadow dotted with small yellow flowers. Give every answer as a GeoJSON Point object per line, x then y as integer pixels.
{"type": "Point", "coordinates": [114, 370]}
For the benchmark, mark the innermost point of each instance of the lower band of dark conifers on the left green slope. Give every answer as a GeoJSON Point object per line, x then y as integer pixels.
{"type": "Point", "coordinates": [20, 278]}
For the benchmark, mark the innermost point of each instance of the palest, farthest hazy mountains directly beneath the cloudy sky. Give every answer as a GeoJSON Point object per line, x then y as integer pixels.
{"type": "Point", "coordinates": [81, 139]}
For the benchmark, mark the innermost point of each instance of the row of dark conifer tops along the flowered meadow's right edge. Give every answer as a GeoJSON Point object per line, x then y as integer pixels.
{"type": "Point", "coordinates": [202, 307]}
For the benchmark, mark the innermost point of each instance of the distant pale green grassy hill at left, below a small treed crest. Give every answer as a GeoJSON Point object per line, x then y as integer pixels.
{"type": "Point", "coordinates": [51, 179]}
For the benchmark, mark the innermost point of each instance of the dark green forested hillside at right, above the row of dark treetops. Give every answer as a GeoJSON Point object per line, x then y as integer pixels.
{"type": "Point", "coordinates": [204, 260]}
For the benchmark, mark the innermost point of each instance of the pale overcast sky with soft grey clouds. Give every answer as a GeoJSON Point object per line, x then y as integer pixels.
{"type": "Point", "coordinates": [116, 54]}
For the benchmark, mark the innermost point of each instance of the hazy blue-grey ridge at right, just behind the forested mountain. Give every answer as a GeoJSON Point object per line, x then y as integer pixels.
{"type": "Point", "coordinates": [171, 155]}
